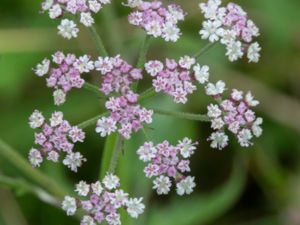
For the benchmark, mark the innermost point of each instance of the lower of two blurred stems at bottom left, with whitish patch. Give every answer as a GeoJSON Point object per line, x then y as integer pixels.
{"type": "Point", "coordinates": [22, 186]}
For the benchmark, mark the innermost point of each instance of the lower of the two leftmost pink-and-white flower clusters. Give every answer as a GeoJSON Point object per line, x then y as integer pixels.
{"type": "Point", "coordinates": [53, 138]}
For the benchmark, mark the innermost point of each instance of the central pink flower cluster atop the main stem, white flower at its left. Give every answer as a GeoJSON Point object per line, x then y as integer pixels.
{"type": "Point", "coordinates": [126, 116]}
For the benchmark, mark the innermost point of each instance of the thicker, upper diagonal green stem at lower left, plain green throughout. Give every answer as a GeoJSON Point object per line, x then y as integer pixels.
{"type": "Point", "coordinates": [19, 162]}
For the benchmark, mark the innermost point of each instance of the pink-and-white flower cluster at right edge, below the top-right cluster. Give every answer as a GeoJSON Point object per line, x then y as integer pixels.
{"type": "Point", "coordinates": [235, 114]}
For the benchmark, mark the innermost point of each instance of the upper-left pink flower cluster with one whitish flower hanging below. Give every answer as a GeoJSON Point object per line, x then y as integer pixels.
{"type": "Point", "coordinates": [65, 74]}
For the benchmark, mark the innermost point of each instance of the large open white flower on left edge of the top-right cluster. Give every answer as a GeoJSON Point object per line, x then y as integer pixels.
{"type": "Point", "coordinates": [211, 30]}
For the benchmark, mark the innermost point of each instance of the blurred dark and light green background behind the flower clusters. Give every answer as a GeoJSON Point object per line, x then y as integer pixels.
{"type": "Point", "coordinates": [264, 189]}
